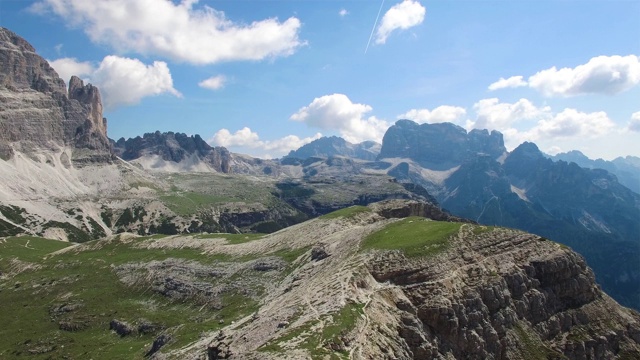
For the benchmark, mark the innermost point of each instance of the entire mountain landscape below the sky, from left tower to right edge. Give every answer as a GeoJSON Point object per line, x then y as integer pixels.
{"type": "Point", "coordinates": [437, 243]}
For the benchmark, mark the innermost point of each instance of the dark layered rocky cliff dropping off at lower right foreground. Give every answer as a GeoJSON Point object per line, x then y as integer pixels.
{"type": "Point", "coordinates": [506, 295]}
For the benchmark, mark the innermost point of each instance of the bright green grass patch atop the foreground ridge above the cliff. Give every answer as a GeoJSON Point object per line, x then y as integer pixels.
{"type": "Point", "coordinates": [415, 236]}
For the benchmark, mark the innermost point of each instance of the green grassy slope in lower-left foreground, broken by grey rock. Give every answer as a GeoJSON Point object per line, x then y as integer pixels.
{"type": "Point", "coordinates": [29, 300]}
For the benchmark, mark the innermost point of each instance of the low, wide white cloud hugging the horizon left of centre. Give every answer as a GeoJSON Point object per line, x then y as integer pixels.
{"type": "Point", "coordinates": [249, 140]}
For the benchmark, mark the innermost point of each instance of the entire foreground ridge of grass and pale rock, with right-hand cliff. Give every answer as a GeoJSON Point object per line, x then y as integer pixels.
{"type": "Point", "coordinates": [360, 283]}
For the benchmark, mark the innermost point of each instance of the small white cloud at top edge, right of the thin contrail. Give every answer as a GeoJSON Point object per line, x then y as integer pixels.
{"type": "Point", "coordinates": [404, 15]}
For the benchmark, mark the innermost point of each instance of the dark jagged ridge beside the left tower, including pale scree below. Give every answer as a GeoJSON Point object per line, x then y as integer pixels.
{"type": "Point", "coordinates": [173, 152]}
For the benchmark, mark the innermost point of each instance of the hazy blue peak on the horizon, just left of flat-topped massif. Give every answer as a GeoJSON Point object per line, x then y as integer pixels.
{"type": "Point", "coordinates": [337, 146]}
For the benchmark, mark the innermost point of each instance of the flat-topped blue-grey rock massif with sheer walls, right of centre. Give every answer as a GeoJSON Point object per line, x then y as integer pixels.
{"type": "Point", "coordinates": [438, 146]}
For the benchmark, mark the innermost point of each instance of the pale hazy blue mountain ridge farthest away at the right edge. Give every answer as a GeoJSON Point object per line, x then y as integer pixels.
{"type": "Point", "coordinates": [627, 169]}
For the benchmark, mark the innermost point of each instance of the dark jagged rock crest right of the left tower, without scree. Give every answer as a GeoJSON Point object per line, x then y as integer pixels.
{"type": "Point", "coordinates": [174, 147]}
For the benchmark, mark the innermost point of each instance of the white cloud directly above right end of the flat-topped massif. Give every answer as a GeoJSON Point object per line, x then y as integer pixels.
{"type": "Point", "coordinates": [495, 115]}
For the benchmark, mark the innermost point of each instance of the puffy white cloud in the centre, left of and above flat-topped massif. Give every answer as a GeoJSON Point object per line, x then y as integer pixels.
{"type": "Point", "coordinates": [337, 112]}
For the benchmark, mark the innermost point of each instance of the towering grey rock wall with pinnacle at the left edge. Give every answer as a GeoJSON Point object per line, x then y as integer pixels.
{"type": "Point", "coordinates": [38, 113]}
